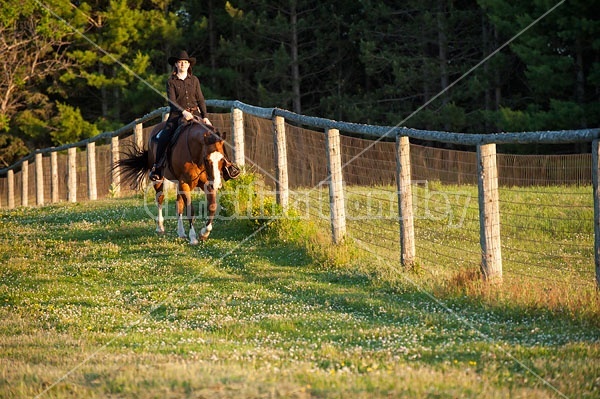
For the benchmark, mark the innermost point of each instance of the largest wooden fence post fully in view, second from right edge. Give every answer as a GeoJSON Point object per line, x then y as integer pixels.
{"type": "Point", "coordinates": [489, 213]}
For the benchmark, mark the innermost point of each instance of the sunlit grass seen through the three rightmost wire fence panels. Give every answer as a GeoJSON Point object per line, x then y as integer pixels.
{"type": "Point", "coordinates": [546, 232]}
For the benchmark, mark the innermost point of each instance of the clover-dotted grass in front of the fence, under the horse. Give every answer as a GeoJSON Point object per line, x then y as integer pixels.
{"type": "Point", "coordinates": [94, 304]}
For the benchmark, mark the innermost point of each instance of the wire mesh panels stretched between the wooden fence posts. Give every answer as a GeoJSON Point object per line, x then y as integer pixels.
{"type": "Point", "coordinates": [546, 201]}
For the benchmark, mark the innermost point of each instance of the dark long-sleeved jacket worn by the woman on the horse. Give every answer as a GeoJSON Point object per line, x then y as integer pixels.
{"type": "Point", "coordinates": [185, 95]}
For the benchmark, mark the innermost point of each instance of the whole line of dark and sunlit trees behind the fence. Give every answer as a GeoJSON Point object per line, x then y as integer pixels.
{"type": "Point", "coordinates": [71, 69]}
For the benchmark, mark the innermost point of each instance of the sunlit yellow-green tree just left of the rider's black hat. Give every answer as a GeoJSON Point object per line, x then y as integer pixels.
{"type": "Point", "coordinates": [118, 57]}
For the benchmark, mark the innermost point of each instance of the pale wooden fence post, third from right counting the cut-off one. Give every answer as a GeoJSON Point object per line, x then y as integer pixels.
{"type": "Point", "coordinates": [405, 206]}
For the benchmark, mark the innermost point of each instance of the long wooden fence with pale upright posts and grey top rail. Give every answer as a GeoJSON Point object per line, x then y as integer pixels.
{"type": "Point", "coordinates": [491, 169]}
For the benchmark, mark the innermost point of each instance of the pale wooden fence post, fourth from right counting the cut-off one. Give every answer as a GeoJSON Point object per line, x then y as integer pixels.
{"type": "Point", "coordinates": [337, 209]}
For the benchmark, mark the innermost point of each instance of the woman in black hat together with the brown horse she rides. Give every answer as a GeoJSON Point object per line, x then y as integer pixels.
{"type": "Point", "coordinates": [197, 158]}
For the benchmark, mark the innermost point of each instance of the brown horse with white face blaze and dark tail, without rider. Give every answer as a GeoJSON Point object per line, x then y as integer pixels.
{"type": "Point", "coordinates": [196, 158]}
